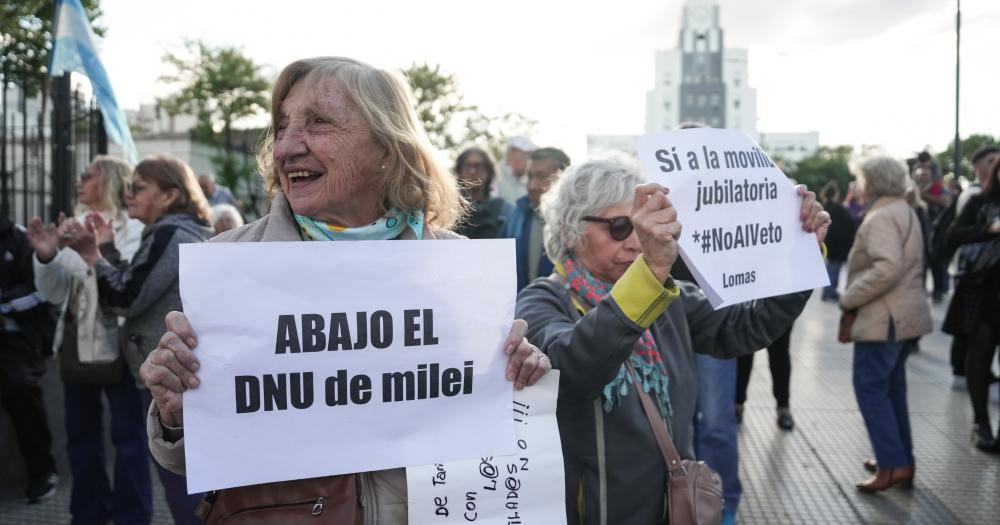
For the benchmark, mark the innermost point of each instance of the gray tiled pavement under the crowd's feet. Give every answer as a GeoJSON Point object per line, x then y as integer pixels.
{"type": "Point", "coordinates": [804, 476]}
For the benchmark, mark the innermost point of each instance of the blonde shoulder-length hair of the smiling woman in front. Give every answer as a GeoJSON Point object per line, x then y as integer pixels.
{"type": "Point", "coordinates": [412, 179]}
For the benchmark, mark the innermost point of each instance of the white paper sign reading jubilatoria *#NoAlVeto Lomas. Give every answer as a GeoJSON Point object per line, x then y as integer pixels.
{"type": "Point", "coordinates": [742, 236]}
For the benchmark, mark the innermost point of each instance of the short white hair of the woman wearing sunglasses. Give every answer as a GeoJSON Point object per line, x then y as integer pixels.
{"type": "Point", "coordinates": [586, 189]}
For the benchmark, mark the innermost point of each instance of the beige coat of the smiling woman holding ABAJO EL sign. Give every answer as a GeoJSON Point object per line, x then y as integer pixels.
{"type": "Point", "coordinates": [382, 493]}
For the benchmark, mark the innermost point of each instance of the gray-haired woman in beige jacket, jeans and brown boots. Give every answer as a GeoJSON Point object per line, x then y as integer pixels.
{"type": "Point", "coordinates": [885, 285]}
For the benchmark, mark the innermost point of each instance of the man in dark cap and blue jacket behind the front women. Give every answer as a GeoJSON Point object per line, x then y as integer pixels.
{"type": "Point", "coordinates": [525, 224]}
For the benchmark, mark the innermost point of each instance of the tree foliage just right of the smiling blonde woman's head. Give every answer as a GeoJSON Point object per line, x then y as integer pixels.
{"type": "Point", "coordinates": [451, 122]}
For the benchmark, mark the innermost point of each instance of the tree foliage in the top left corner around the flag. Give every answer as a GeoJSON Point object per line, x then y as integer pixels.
{"type": "Point", "coordinates": [26, 40]}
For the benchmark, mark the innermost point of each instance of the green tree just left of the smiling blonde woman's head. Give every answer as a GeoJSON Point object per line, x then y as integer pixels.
{"type": "Point", "coordinates": [220, 86]}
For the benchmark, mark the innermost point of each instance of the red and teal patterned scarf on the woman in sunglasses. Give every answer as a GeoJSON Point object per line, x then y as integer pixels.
{"type": "Point", "coordinates": [645, 357]}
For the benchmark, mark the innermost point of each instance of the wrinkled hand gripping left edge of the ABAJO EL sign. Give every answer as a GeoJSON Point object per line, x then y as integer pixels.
{"type": "Point", "coordinates": [169, 370]}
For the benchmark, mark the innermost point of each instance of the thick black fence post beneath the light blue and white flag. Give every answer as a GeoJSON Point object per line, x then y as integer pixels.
{"type": "Point", "coordinates": [62, 147]}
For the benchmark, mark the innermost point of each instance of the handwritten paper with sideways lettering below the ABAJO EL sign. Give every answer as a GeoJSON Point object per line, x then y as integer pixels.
{"type": "Point", "coordinates": [526, 488]}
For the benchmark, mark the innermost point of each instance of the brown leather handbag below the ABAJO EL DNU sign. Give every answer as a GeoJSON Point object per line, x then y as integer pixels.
{"type": "Point", "coordinates": [330, 500]}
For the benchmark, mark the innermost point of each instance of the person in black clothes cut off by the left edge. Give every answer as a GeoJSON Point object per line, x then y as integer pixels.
{"type": "Point", "coordinates": [26, 332]}
